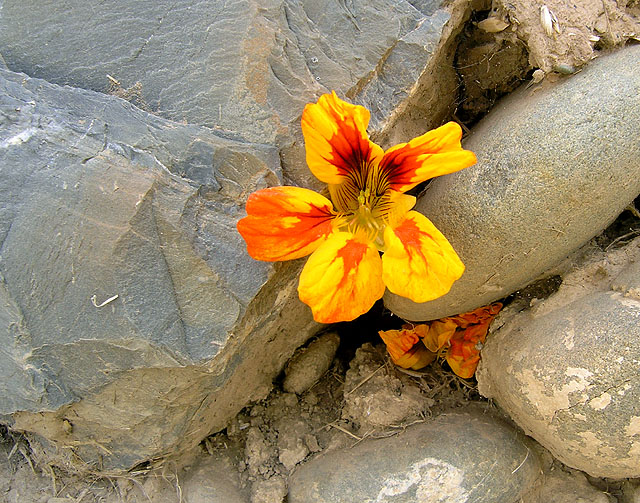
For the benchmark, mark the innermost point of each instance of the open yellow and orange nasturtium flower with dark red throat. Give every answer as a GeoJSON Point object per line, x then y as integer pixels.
{"type": "Point", "coordinates": [368, 213]}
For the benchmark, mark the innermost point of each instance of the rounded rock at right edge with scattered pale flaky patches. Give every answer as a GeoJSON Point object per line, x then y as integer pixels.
{"type": "Point", "coordinates": [567, 371]}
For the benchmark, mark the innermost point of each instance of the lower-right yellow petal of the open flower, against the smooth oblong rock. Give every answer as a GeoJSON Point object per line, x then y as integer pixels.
{"type": "Point", "coordinates": [419, 263]}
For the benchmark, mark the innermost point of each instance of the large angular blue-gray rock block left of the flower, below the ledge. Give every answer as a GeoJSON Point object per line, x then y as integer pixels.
{"type": "Point", "coordinates": [133, 323]}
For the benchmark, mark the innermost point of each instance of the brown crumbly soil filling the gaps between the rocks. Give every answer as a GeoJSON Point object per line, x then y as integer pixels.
{"type": "Point", "coordinates": [362, 394]}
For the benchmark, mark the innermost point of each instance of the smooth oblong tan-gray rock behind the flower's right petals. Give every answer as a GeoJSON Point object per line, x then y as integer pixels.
{"type": "Point", "coordinates": [557, 164]}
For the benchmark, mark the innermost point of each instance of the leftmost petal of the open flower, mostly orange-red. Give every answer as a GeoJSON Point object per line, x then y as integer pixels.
{"type": "Point", "coordinates": [285, 223]}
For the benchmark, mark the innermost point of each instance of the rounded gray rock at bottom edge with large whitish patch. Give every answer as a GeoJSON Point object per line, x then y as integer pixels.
{"type": "Point", "coordinates": [456, 457]}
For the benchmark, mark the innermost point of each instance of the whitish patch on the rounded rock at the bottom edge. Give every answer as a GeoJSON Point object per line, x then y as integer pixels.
{"type": "Point", "coordinates": [434, 481]}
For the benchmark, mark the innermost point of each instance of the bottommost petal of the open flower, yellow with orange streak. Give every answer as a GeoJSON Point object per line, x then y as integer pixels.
{"type": "Point", "coordinates": [342, 279]}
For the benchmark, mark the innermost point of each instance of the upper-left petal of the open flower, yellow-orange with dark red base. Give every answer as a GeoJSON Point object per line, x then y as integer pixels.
{"type": "Point", "coordinates": [336, 140]}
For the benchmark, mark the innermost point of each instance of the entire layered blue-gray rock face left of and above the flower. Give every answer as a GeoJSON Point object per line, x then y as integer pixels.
{"type": "Point", "coordinates": [134, 321]}
